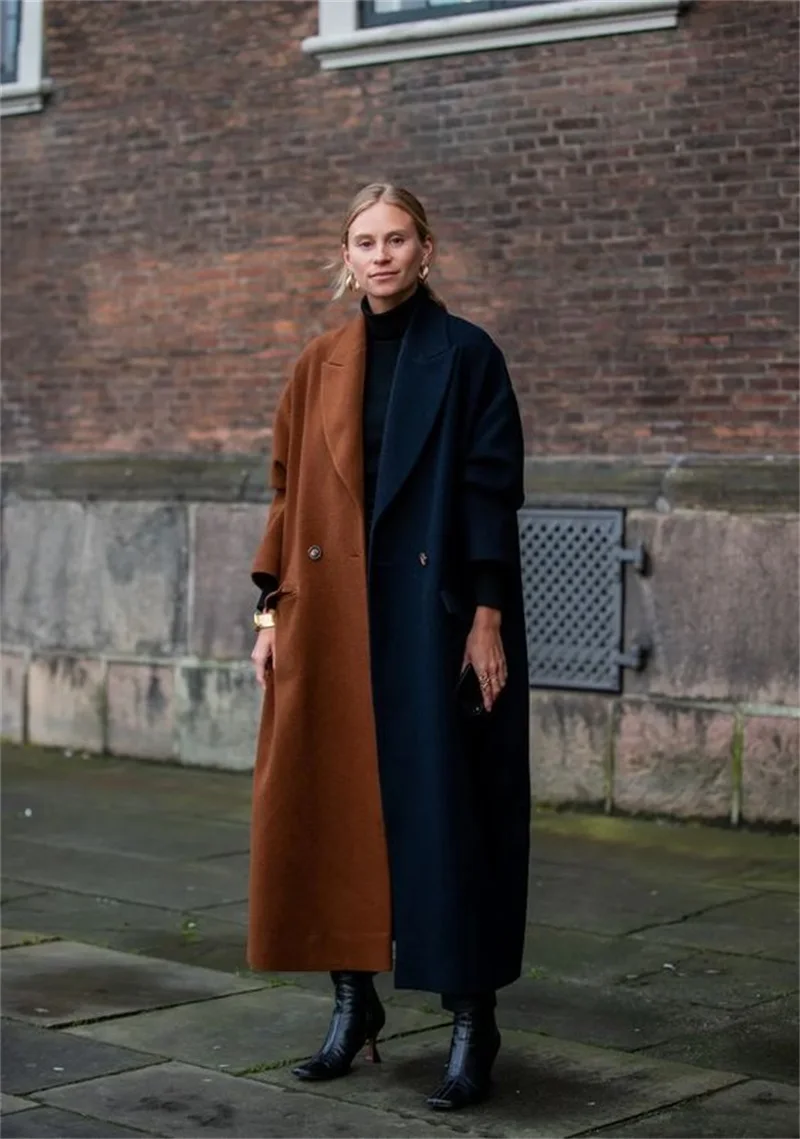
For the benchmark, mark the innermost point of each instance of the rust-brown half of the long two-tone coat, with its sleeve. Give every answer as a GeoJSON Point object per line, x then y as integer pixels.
{"type": "Point", "coordinates": [320, 891]}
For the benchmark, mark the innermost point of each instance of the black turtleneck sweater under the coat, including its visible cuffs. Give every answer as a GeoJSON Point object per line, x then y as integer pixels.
{"type": "Point", "coordinates": [386, 332]}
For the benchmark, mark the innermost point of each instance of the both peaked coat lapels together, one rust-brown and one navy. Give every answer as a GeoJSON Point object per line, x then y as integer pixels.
{"type": "Point", "coordinates": [421, 380]}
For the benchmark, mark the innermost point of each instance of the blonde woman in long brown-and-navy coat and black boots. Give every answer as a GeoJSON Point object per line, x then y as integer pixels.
{"type": "Point", "coordinates": [383, 812]}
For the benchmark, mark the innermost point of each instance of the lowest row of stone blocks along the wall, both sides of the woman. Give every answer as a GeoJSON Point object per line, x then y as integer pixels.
{"type": "Point", "coordinates": [635, 755]}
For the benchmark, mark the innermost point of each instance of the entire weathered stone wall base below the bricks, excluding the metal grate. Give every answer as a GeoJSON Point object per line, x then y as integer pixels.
{"type": "Point", "coordinates": [127, 607]}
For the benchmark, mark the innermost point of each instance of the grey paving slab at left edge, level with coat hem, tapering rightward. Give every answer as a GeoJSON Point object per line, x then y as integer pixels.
{"type": "Point", "coordinates": [61, 982]}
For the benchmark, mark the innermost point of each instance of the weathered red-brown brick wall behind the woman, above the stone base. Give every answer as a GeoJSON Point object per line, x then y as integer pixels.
{"type": "Point", "coordinates": [621, 214]}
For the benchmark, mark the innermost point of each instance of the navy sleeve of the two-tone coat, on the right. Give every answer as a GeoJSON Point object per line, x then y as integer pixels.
{"type": "Point", "coordinates": [493, 488]}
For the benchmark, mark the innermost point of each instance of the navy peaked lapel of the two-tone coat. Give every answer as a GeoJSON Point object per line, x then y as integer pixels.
{"type": "Point", "coordinates": [421, 381]}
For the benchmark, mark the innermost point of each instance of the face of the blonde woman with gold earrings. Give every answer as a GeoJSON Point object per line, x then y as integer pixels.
{"type": "Point", "coordinates": [386, 253]}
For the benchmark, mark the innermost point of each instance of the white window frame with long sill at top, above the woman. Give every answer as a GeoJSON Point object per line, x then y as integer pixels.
{"type": "Point", "coordinates": [342, 44]}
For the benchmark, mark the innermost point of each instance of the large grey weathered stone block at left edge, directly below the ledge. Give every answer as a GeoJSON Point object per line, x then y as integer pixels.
{"type": "Point", "coordinates": [110, 577]}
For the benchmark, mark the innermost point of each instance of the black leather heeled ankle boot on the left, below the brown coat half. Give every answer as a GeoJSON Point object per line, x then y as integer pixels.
{"type": "Point", "coordinates": [358, 1018]}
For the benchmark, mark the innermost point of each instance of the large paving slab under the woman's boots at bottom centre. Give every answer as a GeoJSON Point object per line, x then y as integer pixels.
{"type": "Point", "coordinates": [543, 1087]}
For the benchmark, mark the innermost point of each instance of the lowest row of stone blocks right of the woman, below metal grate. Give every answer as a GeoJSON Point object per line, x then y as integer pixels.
{"type": "Point", "coordinates": [680, 759]}
